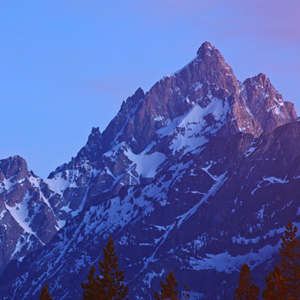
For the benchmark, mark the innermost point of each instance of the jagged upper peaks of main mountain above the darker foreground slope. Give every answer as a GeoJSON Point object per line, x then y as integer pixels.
{"type": "Point", "coordinates": [179, 114]}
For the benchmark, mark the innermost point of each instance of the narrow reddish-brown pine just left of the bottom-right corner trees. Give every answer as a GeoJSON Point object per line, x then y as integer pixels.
{"type": "Point", "coordinates": [246, 289]}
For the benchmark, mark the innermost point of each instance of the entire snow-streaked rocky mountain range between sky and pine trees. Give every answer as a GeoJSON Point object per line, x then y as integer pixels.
{"type": "Point", "coordinates": [199, 175]}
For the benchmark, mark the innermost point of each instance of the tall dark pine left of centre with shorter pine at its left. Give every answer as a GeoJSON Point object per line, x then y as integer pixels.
{"type": "Point", "coordinates": [109, 285]}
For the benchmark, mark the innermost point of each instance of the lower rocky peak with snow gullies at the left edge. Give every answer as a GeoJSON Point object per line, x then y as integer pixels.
{"type": "Point", "coordinates": [27, 221]}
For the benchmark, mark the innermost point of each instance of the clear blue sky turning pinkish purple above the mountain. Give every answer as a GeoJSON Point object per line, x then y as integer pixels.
{"type": "Point", "coordinates": [67, 65]}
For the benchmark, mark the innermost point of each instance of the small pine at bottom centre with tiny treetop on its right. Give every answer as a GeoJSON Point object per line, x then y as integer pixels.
{"type": "Point", "coordinates": [169, 289]}
